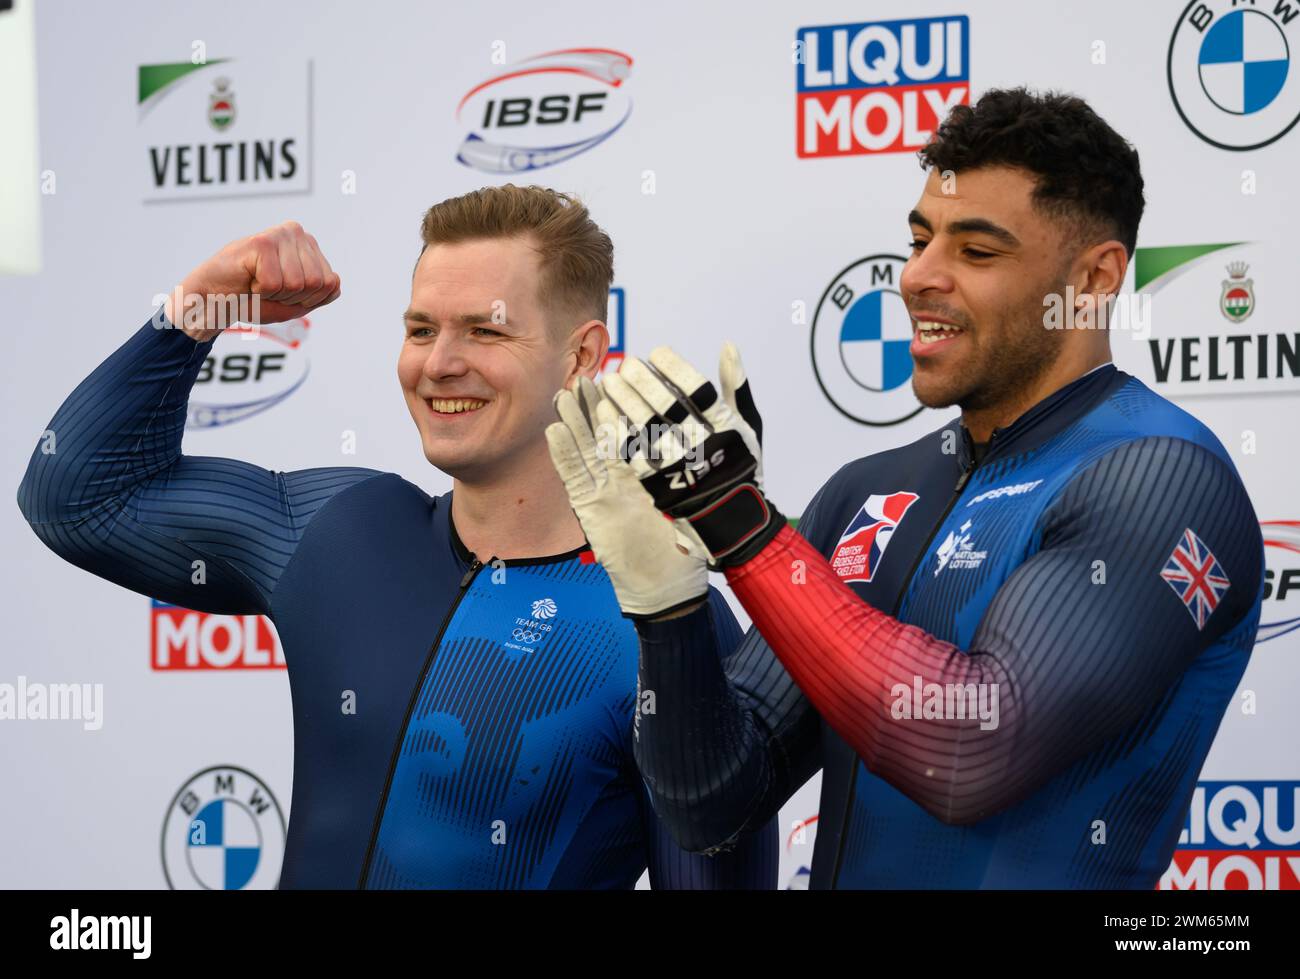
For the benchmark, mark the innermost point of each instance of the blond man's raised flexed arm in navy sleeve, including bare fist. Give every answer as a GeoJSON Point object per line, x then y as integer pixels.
{"type": "Point", "coordinates": [109, 488]}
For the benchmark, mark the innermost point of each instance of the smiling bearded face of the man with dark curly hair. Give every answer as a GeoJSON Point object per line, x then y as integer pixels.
{"type": "Point", "coordinates": [983, 259]}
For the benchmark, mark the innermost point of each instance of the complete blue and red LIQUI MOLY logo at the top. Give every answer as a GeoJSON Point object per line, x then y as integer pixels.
{"type": "Point", "coordinates": [878, 88]}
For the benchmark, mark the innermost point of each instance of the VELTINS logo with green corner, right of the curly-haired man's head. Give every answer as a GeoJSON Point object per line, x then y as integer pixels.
{"type": "Point", "coordinates": [1220, 323]}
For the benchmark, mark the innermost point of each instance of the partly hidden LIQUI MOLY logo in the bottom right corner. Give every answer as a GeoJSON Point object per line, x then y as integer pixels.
{"type": "Point", "coordinates": [1238, 837]}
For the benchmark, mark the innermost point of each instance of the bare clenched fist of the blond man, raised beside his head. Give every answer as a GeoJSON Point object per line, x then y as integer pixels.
{"type": "Point", "coordinates": [284, 267]}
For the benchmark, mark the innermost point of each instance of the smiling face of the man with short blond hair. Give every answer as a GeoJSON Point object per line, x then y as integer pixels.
{"type": "Point", "coordinates": [480, 362]}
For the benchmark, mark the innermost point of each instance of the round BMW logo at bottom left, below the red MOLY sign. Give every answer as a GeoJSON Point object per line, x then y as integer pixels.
{"type": "Point", "coordinates": [224, 831]}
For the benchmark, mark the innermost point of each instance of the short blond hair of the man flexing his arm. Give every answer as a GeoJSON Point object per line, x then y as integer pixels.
{"type": "Point", "coordinates": [575, 257]}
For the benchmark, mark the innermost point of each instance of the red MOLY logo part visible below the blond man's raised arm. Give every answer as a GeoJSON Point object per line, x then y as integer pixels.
{"type": "Point", "coordinates": [183, 639]}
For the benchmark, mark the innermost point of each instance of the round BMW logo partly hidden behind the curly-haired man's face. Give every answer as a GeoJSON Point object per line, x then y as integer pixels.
{"type": "Point", "coordinates": [861, 344]}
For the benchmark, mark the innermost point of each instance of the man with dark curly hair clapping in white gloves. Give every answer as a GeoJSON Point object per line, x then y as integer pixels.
{"type": "Point", "coordinates": [1009, 644]}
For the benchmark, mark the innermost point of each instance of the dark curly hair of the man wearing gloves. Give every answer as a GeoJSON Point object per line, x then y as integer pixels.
{"type": "Point", "coordinates": [1087, 174]}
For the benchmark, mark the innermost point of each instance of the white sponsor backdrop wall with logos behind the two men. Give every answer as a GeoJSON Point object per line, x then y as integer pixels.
{"type": "Point", "coordinates": [167, 133]}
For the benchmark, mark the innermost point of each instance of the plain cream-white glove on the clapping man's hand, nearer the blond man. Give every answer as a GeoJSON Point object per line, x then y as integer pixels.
{"type": "Point", "coordinates": [655, 568]}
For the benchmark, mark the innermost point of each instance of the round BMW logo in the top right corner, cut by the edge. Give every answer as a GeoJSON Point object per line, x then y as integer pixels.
{"type": "Point", "coordinates": [1232, 72]}
